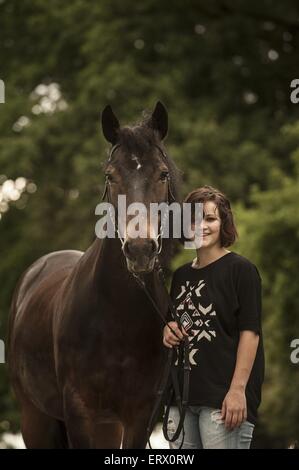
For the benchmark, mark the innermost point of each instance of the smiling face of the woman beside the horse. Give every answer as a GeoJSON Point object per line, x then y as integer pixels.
{"type": "Point", "coordinates": [210, 225]}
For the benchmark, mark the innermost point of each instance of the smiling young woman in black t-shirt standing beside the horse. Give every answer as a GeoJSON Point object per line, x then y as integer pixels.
{"type": "Point", "coordinates": [217, 297]}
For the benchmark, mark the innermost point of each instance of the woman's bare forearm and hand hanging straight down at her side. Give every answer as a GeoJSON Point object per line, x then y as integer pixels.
{"type": "Point", "coordinates": [234, 407]}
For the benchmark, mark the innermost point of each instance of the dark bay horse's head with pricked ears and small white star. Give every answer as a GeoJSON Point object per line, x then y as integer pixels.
{"type": "Point", "coordinates": [139, 169]}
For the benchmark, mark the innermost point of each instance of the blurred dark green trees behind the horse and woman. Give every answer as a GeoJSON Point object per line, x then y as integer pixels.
{"type": "Point", "coordinates": [223, 69]}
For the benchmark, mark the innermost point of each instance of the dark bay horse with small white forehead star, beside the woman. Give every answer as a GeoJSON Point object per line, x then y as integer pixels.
{"type": "Point", "coordinates": [85, 344]}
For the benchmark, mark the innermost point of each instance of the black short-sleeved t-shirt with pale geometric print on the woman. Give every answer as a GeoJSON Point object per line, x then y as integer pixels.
{"type": "Point", "coordinates": [214, 304]}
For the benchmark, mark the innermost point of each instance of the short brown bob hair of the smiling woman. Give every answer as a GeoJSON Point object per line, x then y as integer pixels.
{"type": "Point", "coordinates": [228, 231]}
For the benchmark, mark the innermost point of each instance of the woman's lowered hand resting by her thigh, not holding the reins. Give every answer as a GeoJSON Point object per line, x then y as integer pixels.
{"type": "Point", "coordinates": [234, 408]}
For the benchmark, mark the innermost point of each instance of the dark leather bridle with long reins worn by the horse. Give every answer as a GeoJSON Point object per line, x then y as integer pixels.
{"type": "Point", "coordinates": [169, 385]}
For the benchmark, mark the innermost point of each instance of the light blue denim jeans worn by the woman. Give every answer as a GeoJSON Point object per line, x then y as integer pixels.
{"type": "Point", "coordinates": [204, 429]}
